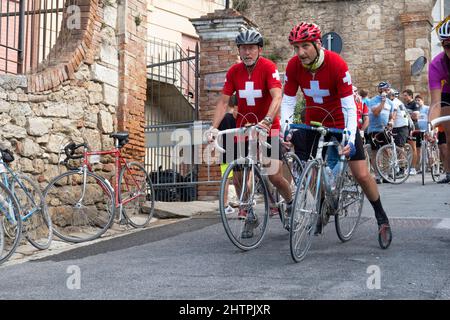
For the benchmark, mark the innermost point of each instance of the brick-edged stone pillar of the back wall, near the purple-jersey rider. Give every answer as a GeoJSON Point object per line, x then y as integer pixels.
{"type": "Point", "coordinates": [417, 30]}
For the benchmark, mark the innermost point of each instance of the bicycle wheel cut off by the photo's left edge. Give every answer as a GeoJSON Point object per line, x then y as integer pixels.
{"type": "Point", "coordinates": [11, 228]}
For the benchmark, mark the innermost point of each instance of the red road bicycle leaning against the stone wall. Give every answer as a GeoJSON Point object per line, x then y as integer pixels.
{"type": "Point", "coordinates": [83, 204]}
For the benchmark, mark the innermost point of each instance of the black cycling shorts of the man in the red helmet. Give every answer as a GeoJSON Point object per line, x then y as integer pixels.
{"type": "Point", "coordinates": [306, 143]}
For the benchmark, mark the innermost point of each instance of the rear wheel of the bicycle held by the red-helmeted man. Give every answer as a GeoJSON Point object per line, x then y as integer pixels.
{"type": "Point", "coordinates": [351, 200]}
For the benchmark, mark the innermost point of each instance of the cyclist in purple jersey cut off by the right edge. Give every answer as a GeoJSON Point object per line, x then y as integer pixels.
{"type": "Point", "coordinates": [439, 84]}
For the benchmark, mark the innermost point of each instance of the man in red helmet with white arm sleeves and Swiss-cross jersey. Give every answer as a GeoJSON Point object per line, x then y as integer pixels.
{"type": "Point", "coordinates": [325, 81]}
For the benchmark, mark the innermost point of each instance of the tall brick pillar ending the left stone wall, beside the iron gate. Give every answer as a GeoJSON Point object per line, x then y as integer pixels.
{"type": "Point", "coordinates": [132, 16]}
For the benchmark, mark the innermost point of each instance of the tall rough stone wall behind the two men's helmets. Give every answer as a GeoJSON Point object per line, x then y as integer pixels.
{"type": "Point", "coordinates": [380, 37]}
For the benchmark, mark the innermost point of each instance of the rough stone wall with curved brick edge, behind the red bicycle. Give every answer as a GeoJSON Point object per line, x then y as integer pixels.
{"type": "Point", "coordinates": [36, 119]}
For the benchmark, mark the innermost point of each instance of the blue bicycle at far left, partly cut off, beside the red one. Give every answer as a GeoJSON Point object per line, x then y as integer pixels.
{"type": "Point", "coordinates": [36, 222]}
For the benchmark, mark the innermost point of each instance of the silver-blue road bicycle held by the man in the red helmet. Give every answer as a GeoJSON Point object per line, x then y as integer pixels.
{"type": "Point", "coordinates": [318, 197]}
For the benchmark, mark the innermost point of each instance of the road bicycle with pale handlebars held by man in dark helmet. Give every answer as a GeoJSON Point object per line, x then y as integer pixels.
{"type": "Point", "coordinates": [247, 194]}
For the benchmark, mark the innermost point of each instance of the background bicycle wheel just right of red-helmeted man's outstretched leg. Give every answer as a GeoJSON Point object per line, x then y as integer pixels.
{"type": "Point", "coordinates": [393, 168]}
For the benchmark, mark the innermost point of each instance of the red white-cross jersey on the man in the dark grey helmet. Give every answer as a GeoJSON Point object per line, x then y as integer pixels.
{"type": "Point", "coordinates": [253, 90]}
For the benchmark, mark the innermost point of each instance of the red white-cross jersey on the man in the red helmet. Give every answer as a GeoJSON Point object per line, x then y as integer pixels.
{"type": "Point", "coordinates": [323, 89]}
